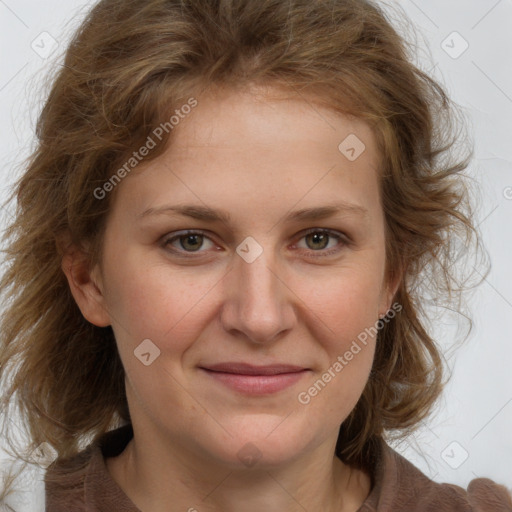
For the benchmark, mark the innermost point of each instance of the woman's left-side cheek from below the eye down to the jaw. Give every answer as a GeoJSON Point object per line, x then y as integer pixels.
{"type": "Point", "coordinates": [149, 302]}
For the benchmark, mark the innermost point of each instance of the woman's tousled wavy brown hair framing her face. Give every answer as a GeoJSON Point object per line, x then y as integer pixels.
{"type": "Point", "coordinates": [129, 65]}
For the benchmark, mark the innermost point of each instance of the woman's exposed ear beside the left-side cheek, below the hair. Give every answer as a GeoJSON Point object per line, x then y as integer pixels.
{"type": "Point", "coordinates": [86, 285]}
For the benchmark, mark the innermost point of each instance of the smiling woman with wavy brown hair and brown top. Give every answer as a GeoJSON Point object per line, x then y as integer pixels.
{"type": "Point", "coordinates": [215, 263]}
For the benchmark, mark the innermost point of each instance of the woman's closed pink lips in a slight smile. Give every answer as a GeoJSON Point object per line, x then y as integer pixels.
{"type": "Point", "coordinates": [255, 380]}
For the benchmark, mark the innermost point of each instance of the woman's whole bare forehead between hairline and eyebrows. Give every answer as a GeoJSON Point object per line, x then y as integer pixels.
{"type": "Point", "coordinates": [260, 145]}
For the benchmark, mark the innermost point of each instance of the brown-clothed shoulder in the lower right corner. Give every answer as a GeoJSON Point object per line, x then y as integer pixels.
{"type": "Point", "coordinates": [399, 486]}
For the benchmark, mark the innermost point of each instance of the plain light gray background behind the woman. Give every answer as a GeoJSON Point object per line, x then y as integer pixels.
{"type": "Point", "coordinates": [471, 434]}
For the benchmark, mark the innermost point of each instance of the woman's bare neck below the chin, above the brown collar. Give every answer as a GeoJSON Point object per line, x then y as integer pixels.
{"type": "Point", "coordinates": [153, 479]}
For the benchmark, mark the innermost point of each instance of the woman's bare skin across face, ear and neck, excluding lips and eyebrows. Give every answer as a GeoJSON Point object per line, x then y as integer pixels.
{"type": "Point", "coordinates": [257, 156]}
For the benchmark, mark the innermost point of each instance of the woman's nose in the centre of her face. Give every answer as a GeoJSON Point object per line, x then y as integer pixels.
{"type": "Point", "coordinates": [258, 305]}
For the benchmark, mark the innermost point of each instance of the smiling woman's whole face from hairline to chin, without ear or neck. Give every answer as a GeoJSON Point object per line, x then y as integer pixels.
{"type": "Point", "coordinates": [224, 331]}
